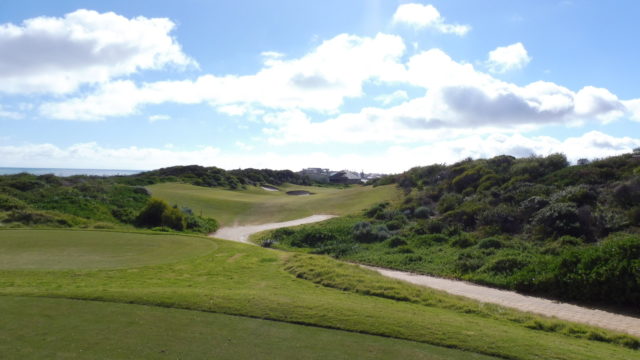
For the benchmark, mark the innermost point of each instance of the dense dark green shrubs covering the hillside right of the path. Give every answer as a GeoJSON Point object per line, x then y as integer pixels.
{"type": "Point", "coordinates": [533, 224]}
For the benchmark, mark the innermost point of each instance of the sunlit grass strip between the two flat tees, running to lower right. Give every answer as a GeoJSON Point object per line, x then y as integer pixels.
{"type": "Point", "coordinates": [251, 281]}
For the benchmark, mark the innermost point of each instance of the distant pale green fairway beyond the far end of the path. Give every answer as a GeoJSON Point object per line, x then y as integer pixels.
{"type": "Point", "coordinates": [256, 205]}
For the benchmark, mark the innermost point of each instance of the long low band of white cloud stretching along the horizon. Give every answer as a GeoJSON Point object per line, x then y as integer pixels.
{"type": "Point", "coordinates": [591, 145]}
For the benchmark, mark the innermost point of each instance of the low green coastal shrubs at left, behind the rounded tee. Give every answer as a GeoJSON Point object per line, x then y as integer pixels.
{"type": "Point", "coordinates": [89, 201]}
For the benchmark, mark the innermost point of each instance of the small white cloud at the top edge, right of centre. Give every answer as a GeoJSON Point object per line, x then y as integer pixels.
{"type": "Point", "coordinates": [421, 16]}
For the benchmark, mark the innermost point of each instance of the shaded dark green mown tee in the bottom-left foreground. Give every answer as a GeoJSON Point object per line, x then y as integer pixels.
{"type": "Point", "coordinates": [60, 328]}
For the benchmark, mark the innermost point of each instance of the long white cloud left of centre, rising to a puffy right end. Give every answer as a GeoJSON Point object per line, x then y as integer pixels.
{"type": "Point", "coordinates": [320, 80]}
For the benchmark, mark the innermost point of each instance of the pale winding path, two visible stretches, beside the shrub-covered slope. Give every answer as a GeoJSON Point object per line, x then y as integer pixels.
{"type": "Point", "coordinates": [578, 314]}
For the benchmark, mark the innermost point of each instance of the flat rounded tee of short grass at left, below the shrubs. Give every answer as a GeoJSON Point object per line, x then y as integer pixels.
{"type": "Point", "coordinates": [60, 249]}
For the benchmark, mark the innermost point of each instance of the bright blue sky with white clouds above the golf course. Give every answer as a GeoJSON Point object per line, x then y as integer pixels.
{"type": "Point", "coordinates": [374, 86]}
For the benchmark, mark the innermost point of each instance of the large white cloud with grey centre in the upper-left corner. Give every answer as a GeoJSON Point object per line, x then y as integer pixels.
{"type": "Point", "coordinates": [57, 55]}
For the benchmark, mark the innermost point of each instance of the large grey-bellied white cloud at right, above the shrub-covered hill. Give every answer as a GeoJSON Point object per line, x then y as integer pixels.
{"type": "Point", "coordinates": [459, 100]}
